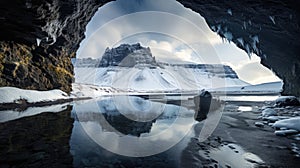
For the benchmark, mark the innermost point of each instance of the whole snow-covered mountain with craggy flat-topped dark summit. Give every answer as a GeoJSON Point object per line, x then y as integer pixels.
{"type": "Point", "coordinates": [132, 67]}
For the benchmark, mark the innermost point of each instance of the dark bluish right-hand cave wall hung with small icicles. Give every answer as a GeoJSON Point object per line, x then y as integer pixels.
{"type": "Point", "coordinates": [268, 28]}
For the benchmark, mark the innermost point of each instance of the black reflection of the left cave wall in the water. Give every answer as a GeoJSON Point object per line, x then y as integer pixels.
{"type": "Point", "coordinates": [37, 141]}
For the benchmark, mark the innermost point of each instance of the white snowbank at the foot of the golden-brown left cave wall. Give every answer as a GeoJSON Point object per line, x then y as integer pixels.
{"type": "Point", "coordinates": [13, 95]}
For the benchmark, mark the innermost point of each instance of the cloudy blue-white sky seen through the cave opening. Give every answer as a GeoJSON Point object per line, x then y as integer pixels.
{"type": "Point", "coordinates": [175, 34]}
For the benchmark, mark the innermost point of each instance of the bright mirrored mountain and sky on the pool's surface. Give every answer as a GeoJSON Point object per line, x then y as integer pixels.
{"type": "Point", "coordinates": [104, 135]}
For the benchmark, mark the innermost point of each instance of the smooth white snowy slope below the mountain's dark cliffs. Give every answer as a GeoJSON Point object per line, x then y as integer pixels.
{"type": "Point", "coordinates": [154, 79]}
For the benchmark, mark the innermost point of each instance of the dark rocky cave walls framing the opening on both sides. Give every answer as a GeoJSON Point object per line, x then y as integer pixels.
{"type": "Point", "coordinates": [38, 37]}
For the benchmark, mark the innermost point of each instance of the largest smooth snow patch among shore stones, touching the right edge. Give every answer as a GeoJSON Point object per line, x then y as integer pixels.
{"type": "Point", "coordinates": [291, 123]}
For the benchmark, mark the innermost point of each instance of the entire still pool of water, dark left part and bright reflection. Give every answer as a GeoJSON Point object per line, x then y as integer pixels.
{"type": "Point", "coordinates": [115, 131]}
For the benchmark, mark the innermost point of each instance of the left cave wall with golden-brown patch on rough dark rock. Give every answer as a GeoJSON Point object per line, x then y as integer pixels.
{"type": "Point", "coordinates": [37, 40]}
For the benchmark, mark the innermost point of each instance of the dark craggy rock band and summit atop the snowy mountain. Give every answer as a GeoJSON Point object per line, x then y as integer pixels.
{"type": "Point", "coordinates": [135, 55]}
